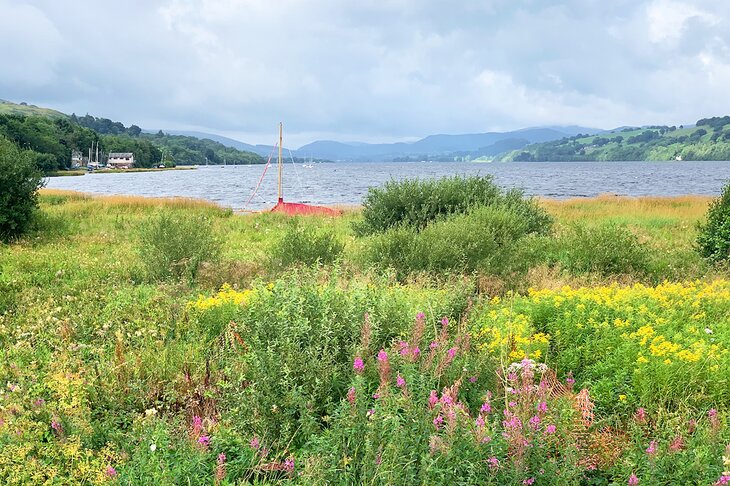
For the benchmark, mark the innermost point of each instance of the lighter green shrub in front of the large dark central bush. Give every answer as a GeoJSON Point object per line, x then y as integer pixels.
{"type": "Point", "coordinates": [487, 240]}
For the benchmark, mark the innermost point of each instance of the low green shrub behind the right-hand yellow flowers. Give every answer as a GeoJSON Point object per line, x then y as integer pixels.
{"type": "Point", "coordinates": [606, 250]}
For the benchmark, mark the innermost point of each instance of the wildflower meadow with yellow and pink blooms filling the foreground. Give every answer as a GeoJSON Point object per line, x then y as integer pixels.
{"type": "Point", "coordinates": [171, 341]}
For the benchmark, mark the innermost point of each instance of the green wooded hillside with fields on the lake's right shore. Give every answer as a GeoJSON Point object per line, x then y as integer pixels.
{"type": "Point", "coordinates": [708, 140]}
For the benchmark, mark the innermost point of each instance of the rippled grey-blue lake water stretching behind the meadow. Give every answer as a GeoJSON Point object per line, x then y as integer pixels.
{"type": "Point", "coordinates": [347, 183]}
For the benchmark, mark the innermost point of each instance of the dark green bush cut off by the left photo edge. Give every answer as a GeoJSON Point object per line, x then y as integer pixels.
{"type": "Point", "coordinates": [19, 184]}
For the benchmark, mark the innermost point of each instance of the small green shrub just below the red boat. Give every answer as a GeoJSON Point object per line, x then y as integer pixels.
{"type": "Point", "coordinates": [303, 243]}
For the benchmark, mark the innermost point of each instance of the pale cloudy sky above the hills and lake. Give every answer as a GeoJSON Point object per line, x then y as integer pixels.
{"type": "Point", "coordinates": [381, 71]}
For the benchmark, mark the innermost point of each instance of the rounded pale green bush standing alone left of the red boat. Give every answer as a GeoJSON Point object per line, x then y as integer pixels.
{"type": "Point", "coordinates": [173, 245]}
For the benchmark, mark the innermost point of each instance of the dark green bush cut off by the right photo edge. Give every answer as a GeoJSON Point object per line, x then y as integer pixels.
{"type": "Point", "coordinates": [713, 240]}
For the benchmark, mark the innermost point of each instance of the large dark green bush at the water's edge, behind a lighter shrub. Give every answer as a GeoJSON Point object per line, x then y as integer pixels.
{"type": "Point", "coordinates": [415, 203]}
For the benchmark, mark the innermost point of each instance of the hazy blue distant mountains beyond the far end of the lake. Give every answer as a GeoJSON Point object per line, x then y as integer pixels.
{"type": "Point", "coordinates": [438, 145]}
